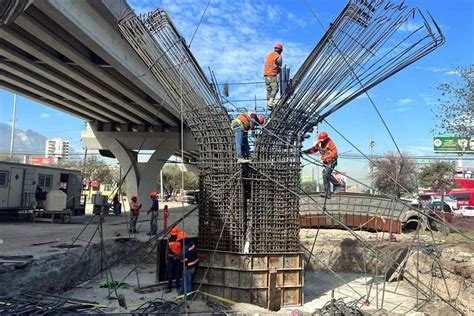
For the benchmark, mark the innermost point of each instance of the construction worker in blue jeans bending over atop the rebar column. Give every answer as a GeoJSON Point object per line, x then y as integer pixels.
{"type": "Point", "coordinates": [241, 125]}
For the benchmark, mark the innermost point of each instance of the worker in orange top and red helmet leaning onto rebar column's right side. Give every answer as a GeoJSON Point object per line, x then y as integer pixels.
{"type": "Point", "coordinates": [326, 147]}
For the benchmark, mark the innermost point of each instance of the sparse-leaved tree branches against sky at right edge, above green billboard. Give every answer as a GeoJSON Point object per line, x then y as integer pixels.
{"type": "Point", "coordinates": [455, 113]}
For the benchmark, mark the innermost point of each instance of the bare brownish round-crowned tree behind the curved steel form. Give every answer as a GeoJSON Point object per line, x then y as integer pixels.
{"type": "Point", "coordinates": [390, 167]}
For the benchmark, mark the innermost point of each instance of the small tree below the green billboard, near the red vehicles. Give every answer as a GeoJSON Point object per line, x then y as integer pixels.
{"type": "Point", "coordinates": [437, 175]}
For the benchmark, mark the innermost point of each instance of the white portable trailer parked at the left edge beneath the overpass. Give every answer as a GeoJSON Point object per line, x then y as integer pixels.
{"type": "Point", "coordinates": [18, 184]}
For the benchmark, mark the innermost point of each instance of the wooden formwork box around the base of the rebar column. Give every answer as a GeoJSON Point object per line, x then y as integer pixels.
{"type": "Point", "coordinates": [246, 278]}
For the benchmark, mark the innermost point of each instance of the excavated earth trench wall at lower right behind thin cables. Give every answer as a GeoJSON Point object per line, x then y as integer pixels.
{"type": "Point", "coordinates": [447, 268]}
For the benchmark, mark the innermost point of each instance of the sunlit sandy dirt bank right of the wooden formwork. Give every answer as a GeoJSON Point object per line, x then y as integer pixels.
{"type": "Point", "coordinates": [441, 266]}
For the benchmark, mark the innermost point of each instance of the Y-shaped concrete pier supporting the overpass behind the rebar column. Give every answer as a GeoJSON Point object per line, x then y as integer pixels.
{"type": "Point", "coordinates": [141, 176]}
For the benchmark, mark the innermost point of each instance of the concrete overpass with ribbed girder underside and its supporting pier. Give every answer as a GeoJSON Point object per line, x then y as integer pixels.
{"type": "Point", "coordinates": [70, 56]}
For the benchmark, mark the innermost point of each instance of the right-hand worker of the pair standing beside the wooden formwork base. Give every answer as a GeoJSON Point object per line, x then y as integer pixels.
{"type": "Point", "coordinates": [190, 259]}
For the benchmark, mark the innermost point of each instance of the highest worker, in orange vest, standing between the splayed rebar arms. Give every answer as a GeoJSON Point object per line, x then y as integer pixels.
{"type": "Point", "coordinates": [270, 73]}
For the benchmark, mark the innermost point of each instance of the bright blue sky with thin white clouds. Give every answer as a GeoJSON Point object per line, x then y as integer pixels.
{"type": "Point", "coordinates": [235, 36]}
